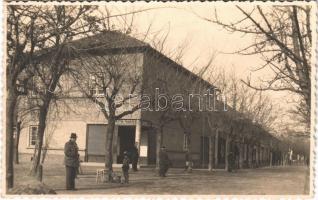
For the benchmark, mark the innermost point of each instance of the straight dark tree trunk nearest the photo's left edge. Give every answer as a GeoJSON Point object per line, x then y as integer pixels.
{"type": "Point", "coordinates": [10, 109]}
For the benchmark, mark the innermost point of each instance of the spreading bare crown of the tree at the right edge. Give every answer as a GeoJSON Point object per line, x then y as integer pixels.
{"type": "Point", "coordinates": [283, 39]}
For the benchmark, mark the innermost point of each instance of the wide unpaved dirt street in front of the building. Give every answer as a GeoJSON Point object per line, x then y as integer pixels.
{"type": "Point", "coordinates": [279, 180]}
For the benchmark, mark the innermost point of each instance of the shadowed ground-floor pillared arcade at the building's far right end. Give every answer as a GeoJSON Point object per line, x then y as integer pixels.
{"type": "Point", "coordinates": [247, 153]}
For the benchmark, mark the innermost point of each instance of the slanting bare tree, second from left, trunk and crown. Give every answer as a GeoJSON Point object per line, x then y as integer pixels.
{"type": "Point", "coordinates": [62, 24]}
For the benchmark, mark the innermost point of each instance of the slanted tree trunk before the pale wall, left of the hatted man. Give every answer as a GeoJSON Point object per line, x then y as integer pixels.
{"type": "Point", "coordinates": [42, 124]}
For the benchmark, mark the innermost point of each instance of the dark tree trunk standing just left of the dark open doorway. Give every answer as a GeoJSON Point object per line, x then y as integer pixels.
{"type": "Point", "coordinates": [109, 146]}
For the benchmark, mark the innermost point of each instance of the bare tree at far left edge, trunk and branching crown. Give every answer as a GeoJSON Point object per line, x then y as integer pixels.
{"type": "Point", "coordinates": [20, 52]}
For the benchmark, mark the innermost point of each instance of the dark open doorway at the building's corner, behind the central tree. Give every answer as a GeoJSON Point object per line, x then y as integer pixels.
{"type": "Point", "coordinates": [126, 137]}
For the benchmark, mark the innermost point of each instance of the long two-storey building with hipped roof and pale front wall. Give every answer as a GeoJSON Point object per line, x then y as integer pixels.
{"type": "Point", "coordinates": [210, 135]}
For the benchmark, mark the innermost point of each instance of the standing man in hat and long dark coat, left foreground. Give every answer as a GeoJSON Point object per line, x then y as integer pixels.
{"type": "Point", "coordinates": [71, 161]}
